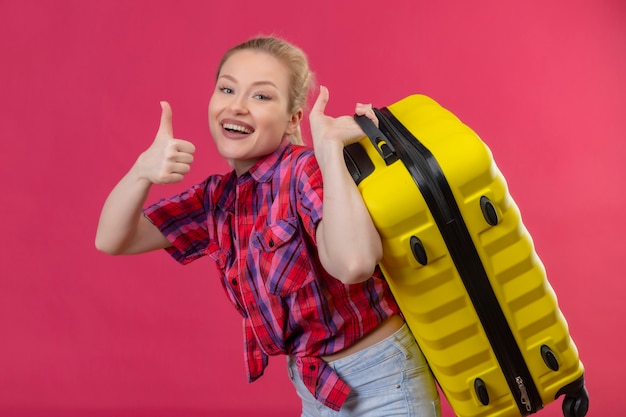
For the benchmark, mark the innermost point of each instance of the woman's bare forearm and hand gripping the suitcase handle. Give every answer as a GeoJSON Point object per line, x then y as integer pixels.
{"type": "Point", "coordinates": [348, 244]}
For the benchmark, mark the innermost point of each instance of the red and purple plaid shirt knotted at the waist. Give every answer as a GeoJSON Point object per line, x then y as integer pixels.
{"type": "Point", "coordinates": [260, 230]}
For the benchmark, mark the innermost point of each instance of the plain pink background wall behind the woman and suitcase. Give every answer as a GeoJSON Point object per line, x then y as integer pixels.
{"type": "Point", "coordinates": [82, 333]}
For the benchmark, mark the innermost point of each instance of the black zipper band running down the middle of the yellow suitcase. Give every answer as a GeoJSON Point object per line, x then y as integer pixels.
{"type": "Point", "coordinates": [436, 191]}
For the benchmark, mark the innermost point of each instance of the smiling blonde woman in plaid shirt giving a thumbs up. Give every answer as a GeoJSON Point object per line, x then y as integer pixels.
{"type": "Point", "coordinates": [301, 273]}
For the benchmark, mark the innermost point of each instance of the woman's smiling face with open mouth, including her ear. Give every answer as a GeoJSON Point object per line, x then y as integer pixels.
{"type": "Point", "coordinates": [248, 114]}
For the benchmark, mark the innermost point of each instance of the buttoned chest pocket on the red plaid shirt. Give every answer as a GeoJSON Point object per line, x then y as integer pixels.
{"type": "Point", "coordinates": [283, 259]}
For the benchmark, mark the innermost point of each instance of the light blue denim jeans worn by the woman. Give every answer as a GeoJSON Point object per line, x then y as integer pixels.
{"type": "Point", "coordinates": [390, 378]}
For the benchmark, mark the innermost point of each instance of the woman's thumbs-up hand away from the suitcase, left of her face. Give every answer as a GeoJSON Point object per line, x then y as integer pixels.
{"type": "Point", "coordinates": [168, 159]}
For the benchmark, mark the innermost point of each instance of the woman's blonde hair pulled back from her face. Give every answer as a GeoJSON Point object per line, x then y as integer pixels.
{"type": "Point", "coordinates": [301, 77]}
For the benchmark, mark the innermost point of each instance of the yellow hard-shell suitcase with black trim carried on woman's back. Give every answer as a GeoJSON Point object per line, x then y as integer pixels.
{"type": "Point", "coordinates": [462, 266]}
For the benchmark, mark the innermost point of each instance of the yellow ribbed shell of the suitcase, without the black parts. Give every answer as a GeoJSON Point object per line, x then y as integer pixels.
{"type": "Point", "coordinates": [433, 297]}
